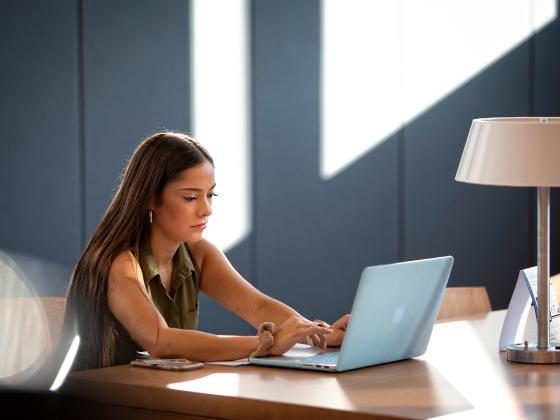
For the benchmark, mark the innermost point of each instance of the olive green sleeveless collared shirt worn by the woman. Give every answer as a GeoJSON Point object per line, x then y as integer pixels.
{"type": "Point", "coordinates": [179, 308]}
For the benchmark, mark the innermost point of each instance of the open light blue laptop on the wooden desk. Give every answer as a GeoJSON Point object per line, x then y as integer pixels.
{"type": "Point", "coordinates": [392, 319]}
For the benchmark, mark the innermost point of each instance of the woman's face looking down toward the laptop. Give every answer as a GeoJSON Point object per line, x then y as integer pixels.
{"type": "Point", "coordinates": [186, 204]}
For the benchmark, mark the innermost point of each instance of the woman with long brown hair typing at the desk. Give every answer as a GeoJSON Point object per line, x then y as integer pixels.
{"type": "Point", "coordinates": [136, 284]}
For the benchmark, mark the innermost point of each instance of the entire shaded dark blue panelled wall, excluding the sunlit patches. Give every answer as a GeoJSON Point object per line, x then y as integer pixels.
{"type": "Point", "coordinates": [82, 82]}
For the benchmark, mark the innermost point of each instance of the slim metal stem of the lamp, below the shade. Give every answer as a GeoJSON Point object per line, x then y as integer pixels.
{"type": "Point", "coordinates": [543, 285]}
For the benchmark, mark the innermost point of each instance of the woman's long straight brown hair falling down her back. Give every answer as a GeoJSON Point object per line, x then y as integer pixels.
{"type": "Point", "coordinates": [125, 226]}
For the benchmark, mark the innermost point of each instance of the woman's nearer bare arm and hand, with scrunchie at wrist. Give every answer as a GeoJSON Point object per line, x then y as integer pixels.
{"type": "Point", "coordinates": [128, 300]}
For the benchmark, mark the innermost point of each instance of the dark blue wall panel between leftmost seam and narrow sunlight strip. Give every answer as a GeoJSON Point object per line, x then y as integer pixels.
{"type": "Point", "coordinates": [136, 80]}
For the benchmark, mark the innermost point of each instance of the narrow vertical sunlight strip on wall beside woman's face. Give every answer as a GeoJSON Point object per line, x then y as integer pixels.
{"type": "Point", "coordinates": [220, 103]}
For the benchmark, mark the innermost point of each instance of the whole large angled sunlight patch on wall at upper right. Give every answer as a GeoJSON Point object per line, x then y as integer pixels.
{"type": "Point", "coordinates": [384, 63]}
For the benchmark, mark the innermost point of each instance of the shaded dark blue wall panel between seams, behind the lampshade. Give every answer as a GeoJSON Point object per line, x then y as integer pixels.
{"type": "Point", "coordinates": [485, 228]}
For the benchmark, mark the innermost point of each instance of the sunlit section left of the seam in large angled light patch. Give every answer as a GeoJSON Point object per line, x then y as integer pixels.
{"type": "Point", "coordinates": [360, 78]}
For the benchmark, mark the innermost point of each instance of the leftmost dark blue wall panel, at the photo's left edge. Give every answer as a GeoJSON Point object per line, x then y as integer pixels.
{"type": "Point", "coordinates": [40, 207]}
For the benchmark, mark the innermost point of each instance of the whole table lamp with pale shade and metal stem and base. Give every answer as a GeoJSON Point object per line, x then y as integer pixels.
{"type": "Point", "coordinates": [521, 152]}
